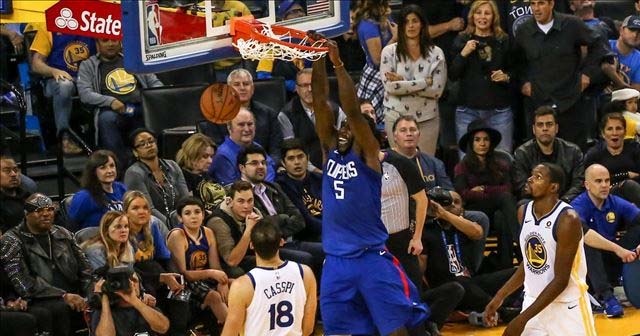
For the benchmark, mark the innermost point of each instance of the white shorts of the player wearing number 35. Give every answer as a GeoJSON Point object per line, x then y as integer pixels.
{"type": "Point", "coordinates": [561, 318]}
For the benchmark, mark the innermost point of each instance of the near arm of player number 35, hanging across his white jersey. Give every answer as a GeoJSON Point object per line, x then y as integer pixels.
{"type": "Point", "coordinates": [569, 234]}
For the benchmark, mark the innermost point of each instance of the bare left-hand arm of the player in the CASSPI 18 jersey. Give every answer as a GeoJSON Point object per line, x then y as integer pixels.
{"type": "Point", "coordinates": [240, 296]}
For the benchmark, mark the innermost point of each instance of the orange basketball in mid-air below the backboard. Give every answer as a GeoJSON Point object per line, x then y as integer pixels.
{"type": "Point", "coordinates": [219, 103]}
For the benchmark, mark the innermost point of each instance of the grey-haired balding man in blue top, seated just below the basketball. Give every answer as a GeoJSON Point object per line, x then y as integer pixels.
{"type": "Point", "coordinates": [242, 132]}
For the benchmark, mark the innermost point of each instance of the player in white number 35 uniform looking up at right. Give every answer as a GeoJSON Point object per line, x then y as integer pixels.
{"type": "Point", "coordinates": [554, 269]}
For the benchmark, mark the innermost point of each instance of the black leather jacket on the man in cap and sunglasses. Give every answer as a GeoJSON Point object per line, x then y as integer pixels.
{"type": "Point", "coordinates": [33, 273]}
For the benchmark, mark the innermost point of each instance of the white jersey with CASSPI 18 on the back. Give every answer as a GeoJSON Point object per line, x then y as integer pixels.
{"type": "Point", "coordinates": [279, 297]}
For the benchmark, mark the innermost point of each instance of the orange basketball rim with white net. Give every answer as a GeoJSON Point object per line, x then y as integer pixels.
{"type": "Point", "coordinates": [256, 40]}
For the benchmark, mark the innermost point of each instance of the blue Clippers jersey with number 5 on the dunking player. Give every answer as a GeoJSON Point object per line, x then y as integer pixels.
{"type": "Point", "coordinates": [351, 196]}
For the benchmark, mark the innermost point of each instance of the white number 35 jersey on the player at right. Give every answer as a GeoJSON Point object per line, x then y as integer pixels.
{"type": "Point", "coordinates": [538, 245]}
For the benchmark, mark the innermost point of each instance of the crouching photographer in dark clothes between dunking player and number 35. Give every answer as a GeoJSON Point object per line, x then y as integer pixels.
{"type": "Point", "coordinates": [446, 238]}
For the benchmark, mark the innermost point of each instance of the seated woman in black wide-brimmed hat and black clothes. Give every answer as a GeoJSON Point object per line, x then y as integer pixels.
{"type": "Point", "coordinates": [484, 180]}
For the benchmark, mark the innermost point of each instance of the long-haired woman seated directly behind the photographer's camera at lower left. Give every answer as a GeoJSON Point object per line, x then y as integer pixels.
{"type": "Point", "coordinates": [110, 247]}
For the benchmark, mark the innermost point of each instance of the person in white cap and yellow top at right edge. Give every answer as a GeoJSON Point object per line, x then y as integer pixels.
{"type": "Point", "coordinates": [625, 101]}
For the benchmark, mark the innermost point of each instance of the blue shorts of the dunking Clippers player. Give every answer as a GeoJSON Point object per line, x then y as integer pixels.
{"type": "Point", "coordinates": [368, 293]}
